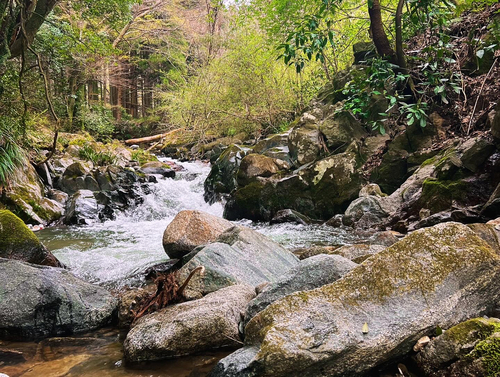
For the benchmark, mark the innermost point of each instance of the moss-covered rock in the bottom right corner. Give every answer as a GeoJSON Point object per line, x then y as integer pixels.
{"type": "Point", "coordinates": [467, 349]}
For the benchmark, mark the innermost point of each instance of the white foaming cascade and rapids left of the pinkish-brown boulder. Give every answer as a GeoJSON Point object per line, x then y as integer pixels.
{"type": "Point", "coordinates": [113, 253]}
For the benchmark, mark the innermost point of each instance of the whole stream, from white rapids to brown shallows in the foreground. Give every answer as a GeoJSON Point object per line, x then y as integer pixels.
{"type": "Point", "coordinates": [114, 254]}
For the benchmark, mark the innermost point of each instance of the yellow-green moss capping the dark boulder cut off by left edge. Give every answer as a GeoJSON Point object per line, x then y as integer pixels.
{"type": "Point", "coordinates": [13, 232]}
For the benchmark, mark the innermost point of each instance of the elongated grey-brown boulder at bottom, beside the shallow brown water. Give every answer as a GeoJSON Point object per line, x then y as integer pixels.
{"type": "Point", "coordinates": [190, 327]}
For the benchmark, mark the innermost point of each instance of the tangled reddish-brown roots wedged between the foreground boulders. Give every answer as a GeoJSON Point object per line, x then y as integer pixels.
{"type": "Point", "coordinates": [167, 293]}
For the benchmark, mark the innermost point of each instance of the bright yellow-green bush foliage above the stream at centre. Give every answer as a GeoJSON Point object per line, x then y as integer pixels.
{"type": "Point", "coordinates": [243, 90]}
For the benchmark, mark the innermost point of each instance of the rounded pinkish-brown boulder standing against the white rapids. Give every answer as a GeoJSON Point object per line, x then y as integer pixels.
{"type": "Point", "coordinates": [190, 229]}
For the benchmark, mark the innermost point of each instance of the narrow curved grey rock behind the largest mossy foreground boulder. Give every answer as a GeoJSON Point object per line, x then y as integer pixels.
{"type": "Point", "coordinates": [311, 273]}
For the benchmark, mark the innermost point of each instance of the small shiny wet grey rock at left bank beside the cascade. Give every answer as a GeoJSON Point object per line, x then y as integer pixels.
{"type": "Point", "coordinates": [82, 208]}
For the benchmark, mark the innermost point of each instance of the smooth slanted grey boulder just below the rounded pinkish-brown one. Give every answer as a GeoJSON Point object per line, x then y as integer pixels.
{"type": "Point", "coordinates": [240, 256]}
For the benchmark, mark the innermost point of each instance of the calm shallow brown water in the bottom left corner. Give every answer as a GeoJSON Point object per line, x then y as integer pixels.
{"type": "Point", "coordinates": [97, 354]}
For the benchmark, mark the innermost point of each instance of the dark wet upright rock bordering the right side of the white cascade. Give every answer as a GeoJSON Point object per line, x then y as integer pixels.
{"type": "Point", "coordinates": [222, 178]}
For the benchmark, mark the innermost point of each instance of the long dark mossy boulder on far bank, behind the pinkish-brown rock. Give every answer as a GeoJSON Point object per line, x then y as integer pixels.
{"type": "Point", "coordinates": [318, 190]}
